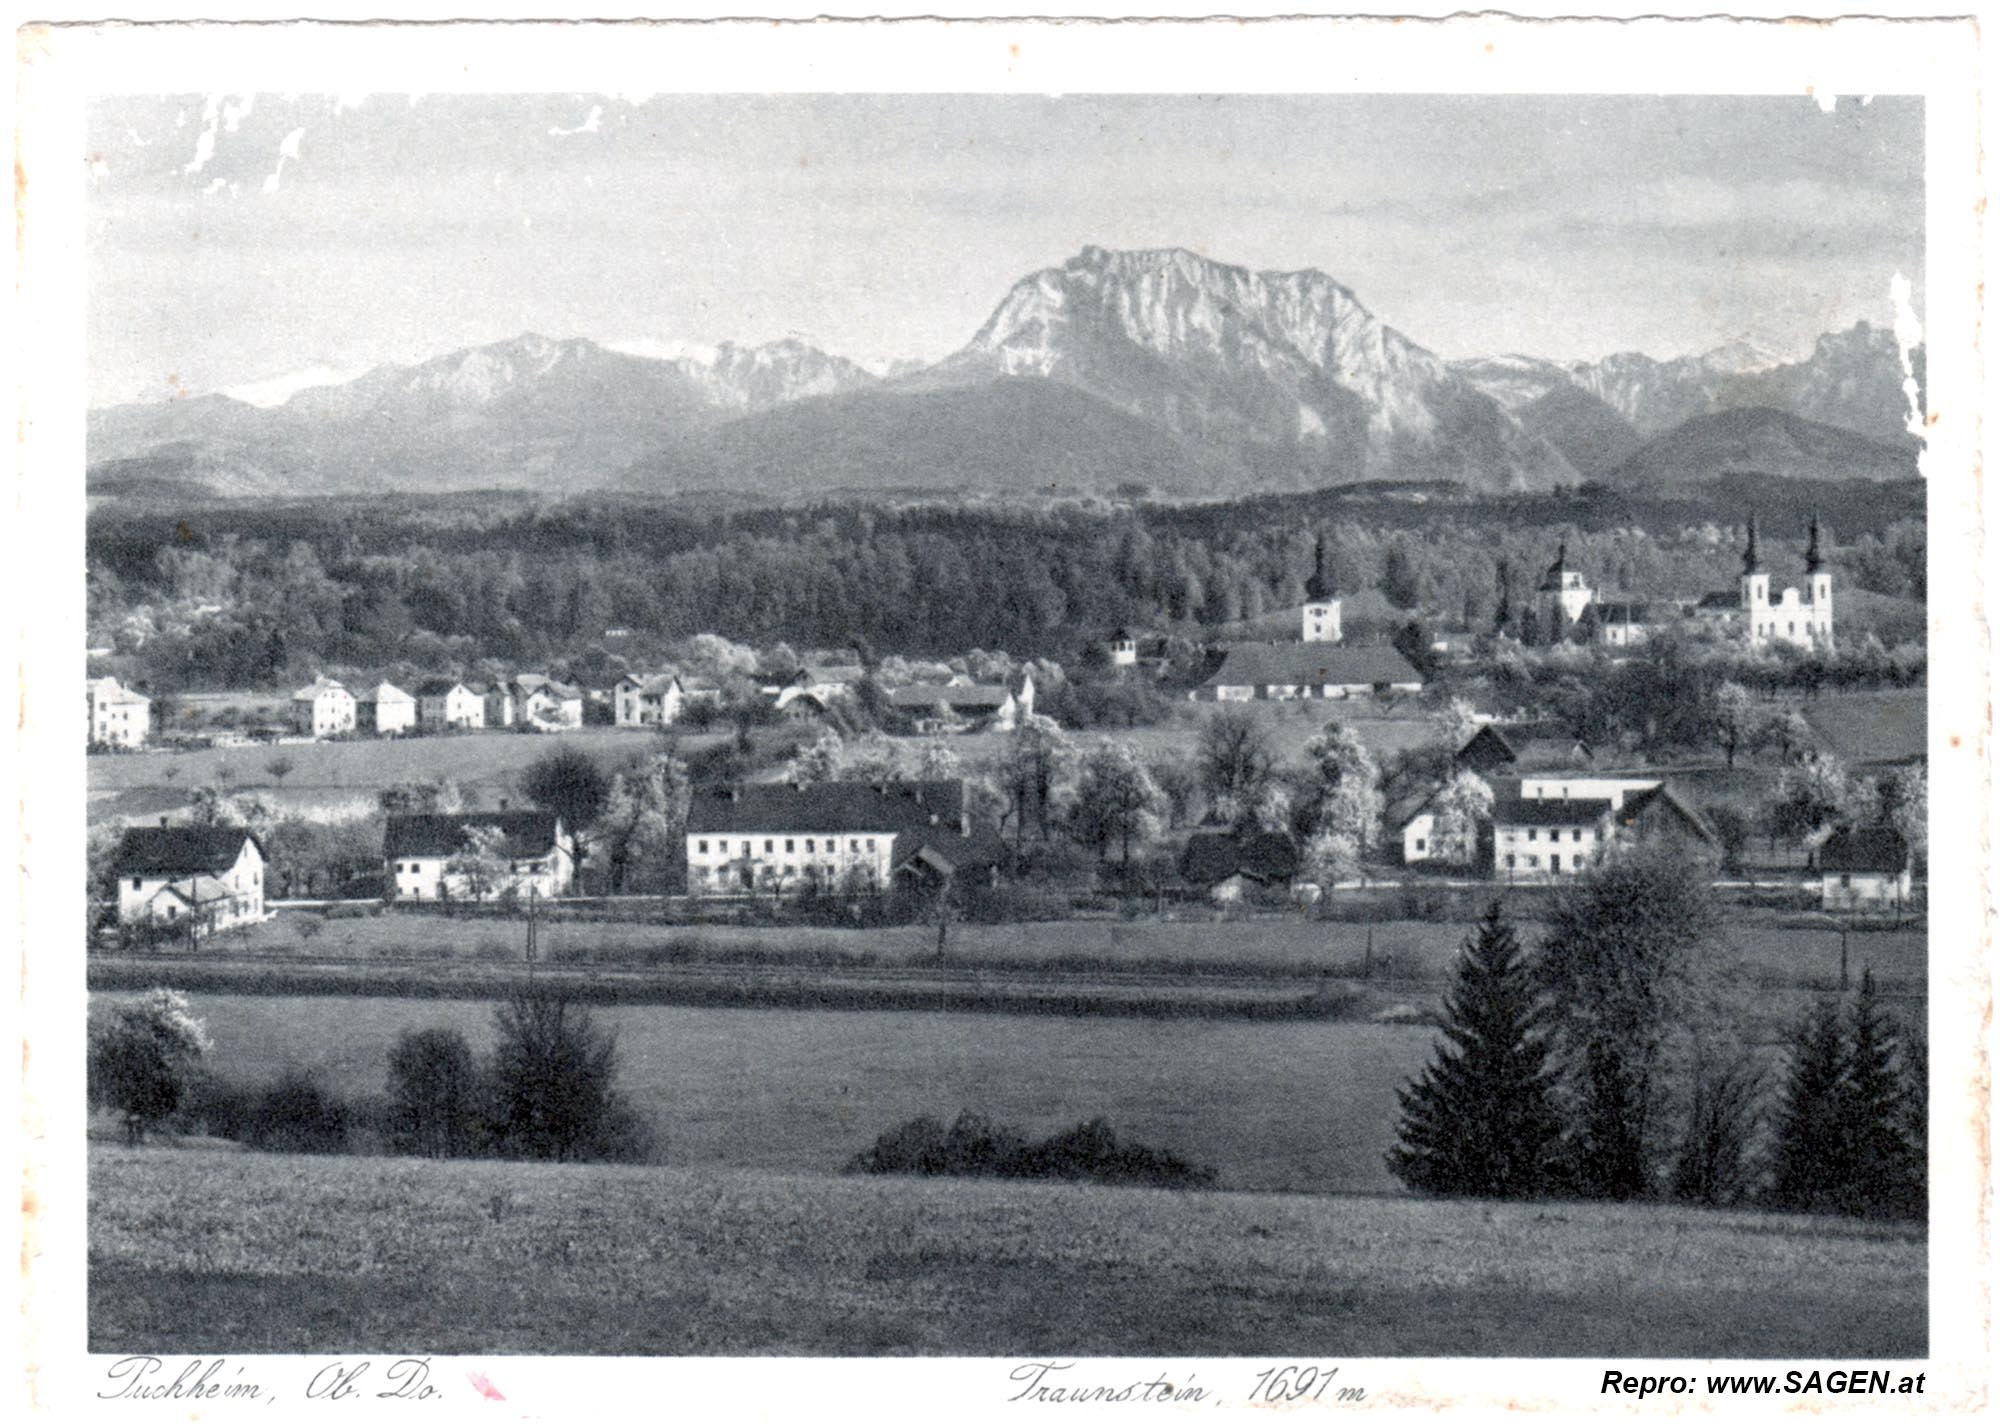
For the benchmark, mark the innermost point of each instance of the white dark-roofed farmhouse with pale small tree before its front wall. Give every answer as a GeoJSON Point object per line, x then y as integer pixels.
{"type": "Point", "coordinates": [479, 857]}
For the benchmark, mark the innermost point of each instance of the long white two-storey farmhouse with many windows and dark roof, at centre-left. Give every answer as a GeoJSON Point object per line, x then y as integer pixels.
{"type": "Point", "coordinates": [839, 837]}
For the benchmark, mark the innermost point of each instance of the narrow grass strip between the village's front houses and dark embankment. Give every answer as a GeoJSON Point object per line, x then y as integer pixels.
{"type": "Point", "coordinates": [1421, 953]}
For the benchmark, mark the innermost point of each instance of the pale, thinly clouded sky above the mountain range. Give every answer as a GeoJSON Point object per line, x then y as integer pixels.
{"type": "Point", "coordinates": [243, 239]}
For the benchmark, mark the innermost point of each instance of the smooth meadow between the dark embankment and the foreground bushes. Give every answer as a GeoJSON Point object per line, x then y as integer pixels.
{"type": "Point", "coordinates": [1273, 1107]}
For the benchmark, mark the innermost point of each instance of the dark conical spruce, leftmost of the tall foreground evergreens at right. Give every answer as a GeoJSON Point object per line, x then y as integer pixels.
{"type": "Point", "coordinates": [1481, 1119]}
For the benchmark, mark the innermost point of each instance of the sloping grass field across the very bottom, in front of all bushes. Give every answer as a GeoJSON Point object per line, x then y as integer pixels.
{"type": "Point", "coordinates": [205, 1251]}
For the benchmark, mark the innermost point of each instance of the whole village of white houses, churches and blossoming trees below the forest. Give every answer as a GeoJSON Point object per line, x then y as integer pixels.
{"type": "Point", "coordinates": [843, 785]}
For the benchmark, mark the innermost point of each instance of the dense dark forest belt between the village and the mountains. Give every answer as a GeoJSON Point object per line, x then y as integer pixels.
{"type": "Point", "coordinates": [243, 597]}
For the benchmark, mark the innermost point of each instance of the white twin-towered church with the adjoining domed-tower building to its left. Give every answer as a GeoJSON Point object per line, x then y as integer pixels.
{"type": "Point", "coordinates": [1803, 619]}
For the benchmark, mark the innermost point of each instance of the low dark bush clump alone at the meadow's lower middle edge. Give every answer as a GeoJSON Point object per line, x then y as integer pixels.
{"type": "Point", "coordinates": [975, 1147]}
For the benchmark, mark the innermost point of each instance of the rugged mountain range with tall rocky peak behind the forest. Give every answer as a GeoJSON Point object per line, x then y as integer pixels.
{"type": "Point", "coordinates": [1143, 371]}
